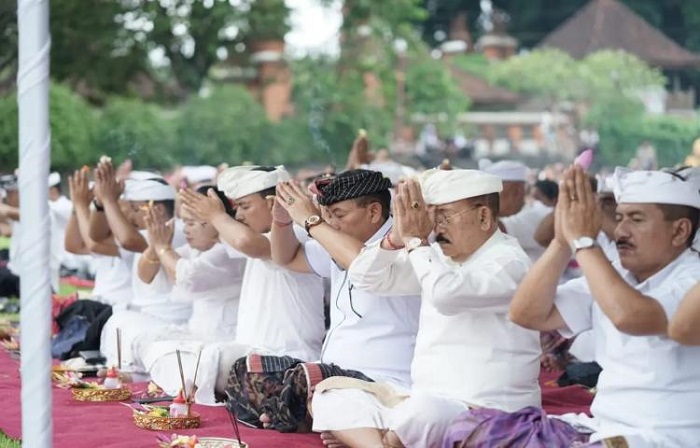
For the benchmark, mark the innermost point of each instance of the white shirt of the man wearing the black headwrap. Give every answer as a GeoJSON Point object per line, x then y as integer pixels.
{"type": "Point", "coordinates": [370, 333]}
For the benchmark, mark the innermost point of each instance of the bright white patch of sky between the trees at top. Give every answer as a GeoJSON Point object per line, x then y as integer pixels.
{"type": "Point", "coordinates": [314, 28]}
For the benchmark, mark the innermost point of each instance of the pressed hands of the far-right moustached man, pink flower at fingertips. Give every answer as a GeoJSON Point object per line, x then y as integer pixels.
{"type": "Point", "coordinates": [577, 213]}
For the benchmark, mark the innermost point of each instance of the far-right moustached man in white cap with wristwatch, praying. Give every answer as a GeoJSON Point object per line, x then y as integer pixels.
{"type": "Point", "coordinates": [649, 389]}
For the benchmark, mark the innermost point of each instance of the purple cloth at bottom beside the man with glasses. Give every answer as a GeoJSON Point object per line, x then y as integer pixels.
{"type": "Point", "coordinates": [526, 428]}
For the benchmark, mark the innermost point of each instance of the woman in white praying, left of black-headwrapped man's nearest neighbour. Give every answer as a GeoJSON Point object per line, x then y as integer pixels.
{"type": "Point", "coordinates": [204, 274]}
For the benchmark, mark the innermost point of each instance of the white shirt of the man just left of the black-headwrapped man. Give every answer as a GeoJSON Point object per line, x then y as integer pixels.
{"type": "Point", "coordinates": [280, 311]}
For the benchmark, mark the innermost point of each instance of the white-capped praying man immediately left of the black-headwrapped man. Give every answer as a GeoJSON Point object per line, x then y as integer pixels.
{"type": "Point", "coordinates": [280, 312]}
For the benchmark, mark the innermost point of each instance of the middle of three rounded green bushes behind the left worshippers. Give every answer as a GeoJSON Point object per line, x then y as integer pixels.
{"type": "Point", "coordinates": [130, 128]}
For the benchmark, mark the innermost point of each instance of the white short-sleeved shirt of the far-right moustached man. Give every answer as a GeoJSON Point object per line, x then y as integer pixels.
{"type": "Point", "coordinates": [648, 383]}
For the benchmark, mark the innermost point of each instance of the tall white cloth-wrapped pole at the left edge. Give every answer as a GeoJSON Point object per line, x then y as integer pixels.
{"type": "Point", "coordinates": [35, 283]}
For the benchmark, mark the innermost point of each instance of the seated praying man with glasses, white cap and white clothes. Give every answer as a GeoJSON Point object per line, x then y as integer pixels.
{"type": "Point", "coordinates": [467, 352]}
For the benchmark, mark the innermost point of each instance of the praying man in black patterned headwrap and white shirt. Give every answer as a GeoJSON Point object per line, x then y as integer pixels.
{"type": "Point", "coordinates": [356, 206]}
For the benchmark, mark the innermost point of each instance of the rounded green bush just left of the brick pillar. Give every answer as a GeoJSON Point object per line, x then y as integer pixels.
{"type": "Point", "coordinates": [227, 125]}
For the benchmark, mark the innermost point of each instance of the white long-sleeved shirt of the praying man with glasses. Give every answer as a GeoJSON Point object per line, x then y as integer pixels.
{"type": "Point", "coordinates": [466, 347]}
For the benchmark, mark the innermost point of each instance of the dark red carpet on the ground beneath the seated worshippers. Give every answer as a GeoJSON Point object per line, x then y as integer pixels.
{"type": "Point", "coordinates": [78, 425]}
